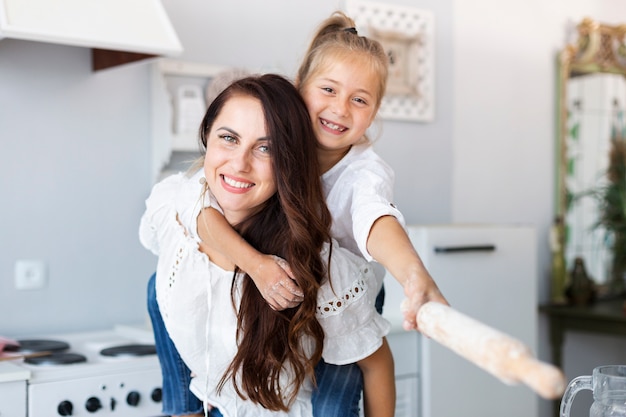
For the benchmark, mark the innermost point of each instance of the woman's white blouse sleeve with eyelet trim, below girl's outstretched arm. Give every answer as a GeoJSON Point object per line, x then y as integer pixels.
{"type": "Point", "coordinates": [346, 310]}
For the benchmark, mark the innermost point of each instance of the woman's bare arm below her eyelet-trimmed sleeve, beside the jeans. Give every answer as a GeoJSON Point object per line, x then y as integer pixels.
{"type": "Point", "coordinates": [379, 387]}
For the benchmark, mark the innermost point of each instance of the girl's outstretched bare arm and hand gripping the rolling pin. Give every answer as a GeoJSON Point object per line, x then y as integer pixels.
{"type": "Point", "coordinates": [389, 245]}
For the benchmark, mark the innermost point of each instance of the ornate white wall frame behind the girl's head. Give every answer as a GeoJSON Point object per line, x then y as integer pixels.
{"type": "Point", "coordinates": [407, 34]}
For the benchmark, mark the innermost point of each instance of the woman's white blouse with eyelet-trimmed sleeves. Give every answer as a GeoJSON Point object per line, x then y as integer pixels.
{"type": "Point", "coordinates": [194, 297]}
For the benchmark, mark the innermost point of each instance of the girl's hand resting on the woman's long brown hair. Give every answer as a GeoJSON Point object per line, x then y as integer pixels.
{"type": "Point", "coordinates": [275, 282]}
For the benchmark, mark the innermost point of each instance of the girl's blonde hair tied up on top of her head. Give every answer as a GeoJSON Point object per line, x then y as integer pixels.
{"type": "Point", "coordinates": [337, 39]}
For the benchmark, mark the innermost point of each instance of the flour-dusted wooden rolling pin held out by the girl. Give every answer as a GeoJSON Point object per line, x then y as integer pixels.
{"type": "Point", "coordinates": [501, 355]}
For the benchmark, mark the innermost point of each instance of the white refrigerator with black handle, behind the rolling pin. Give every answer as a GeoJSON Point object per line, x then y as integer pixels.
{"type": "Point", "coordinates": [488, 272]}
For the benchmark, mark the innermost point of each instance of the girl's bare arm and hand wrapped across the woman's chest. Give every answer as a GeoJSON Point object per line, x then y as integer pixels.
{"type": "Point", "coordinates": [270, 274]}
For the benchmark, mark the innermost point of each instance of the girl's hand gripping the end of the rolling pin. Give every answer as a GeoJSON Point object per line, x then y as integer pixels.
{"type": "Point", "coordinates": [418, 291]}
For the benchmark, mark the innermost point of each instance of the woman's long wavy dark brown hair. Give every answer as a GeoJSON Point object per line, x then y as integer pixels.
{"type": "Point", "coordinates": [294, 224]}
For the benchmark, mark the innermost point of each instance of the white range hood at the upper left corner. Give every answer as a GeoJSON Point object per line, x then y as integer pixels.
{"type": "Point", "coordinates": [135, 26]}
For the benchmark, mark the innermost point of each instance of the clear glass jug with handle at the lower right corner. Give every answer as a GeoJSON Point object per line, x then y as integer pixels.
{"type": "Point", "coordinates": [608, 384]}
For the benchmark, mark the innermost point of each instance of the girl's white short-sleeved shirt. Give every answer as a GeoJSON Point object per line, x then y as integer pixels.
{"type": "Point", "coordinates": [359, 190]}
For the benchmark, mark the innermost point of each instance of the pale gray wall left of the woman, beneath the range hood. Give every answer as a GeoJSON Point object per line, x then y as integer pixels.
{"type": "Point", "coordinates": [74, 167]}
